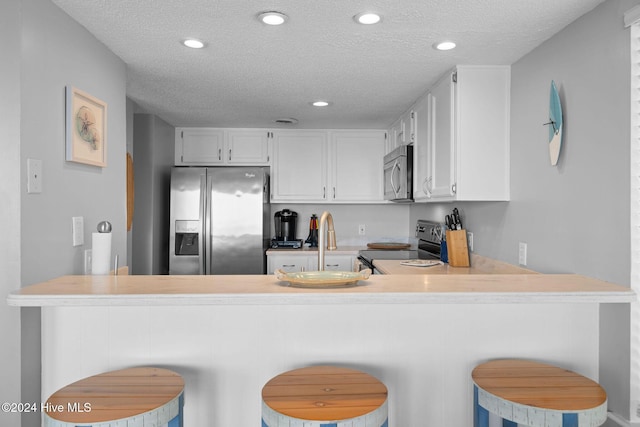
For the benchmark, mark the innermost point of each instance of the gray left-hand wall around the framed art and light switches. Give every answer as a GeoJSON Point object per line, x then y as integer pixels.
{"type": "Point", "coordinates": [56, 52]}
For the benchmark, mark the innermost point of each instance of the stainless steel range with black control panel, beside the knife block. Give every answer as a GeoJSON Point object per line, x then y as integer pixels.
{"type": "Point", "coordinates": [429, 235]}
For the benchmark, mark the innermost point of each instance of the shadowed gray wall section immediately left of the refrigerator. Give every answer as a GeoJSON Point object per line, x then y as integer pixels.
{"type": "Point", "coordinates": [153, 157]}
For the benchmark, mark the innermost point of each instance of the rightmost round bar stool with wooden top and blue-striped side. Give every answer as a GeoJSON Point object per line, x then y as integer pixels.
{"type": "Point", "coordinates": [522, 392]}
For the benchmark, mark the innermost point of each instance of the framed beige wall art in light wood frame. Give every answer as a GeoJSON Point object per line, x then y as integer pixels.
{"type": "Point", "coordinates": [86, 128]}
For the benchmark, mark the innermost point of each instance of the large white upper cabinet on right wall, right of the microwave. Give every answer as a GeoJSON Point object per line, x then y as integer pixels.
{"type": "Point", "coordinates": [461, 151]}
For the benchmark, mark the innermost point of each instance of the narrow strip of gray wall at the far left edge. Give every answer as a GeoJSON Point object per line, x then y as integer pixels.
{"type": "Point", "coordinates": [10, 211]}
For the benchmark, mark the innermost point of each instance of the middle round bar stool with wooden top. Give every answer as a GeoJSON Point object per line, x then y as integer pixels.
{"type": "Point", "coordinates": [324, 396]}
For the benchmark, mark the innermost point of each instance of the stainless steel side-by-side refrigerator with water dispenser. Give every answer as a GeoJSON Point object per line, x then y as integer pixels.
{"type": "Point", "coordinates": [219, 220]}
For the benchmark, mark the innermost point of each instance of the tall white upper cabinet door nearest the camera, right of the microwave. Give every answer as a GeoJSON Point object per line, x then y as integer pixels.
{"type": "Point", "coordinates": [442, 178]}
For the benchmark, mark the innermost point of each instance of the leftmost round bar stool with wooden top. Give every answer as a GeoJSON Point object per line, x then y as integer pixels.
{"type": "Point", "coordinates": [139, 397]}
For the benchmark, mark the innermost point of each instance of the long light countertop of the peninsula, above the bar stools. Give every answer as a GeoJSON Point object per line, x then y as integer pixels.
{"type": "Point", "coordinates": [268, 290]}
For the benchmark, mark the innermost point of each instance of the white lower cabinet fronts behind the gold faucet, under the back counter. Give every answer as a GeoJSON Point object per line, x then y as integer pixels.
{"type": "Point", "coordinates": [309, 262]}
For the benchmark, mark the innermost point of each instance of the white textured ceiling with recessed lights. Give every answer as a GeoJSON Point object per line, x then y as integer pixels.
{"type": "Point", "coordinates": [251, 74]}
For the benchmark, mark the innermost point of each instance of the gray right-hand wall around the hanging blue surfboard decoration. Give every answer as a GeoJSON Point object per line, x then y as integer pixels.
{"type": "Point", "coordinates": [575, 216]}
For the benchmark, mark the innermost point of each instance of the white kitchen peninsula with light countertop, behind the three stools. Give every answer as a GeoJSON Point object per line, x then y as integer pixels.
{"type": "Point", "coordinates": [227, 335]}
